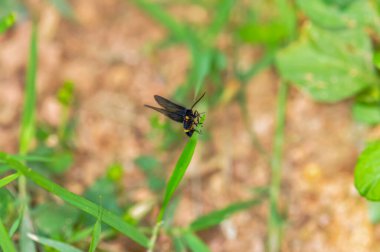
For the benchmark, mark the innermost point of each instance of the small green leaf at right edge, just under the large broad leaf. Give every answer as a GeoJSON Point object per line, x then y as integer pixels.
{"type": "Point", "coordinates": [368, 113]}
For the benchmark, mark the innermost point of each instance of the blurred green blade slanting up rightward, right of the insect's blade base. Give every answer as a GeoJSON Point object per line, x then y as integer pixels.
{"type": "Point", "coordinates": [216, 217]}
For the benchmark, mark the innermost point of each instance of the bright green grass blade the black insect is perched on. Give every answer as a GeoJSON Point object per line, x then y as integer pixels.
{"type": "Point", "coordinates": [178, 173]}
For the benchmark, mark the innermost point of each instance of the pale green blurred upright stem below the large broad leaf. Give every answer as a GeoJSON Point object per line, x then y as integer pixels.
{"type": "Point", "coordinates": [275, 220]}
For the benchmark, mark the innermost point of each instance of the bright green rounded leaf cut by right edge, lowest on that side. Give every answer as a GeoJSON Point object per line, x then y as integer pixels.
{"type": "Point", "coordinates": [367, 172]}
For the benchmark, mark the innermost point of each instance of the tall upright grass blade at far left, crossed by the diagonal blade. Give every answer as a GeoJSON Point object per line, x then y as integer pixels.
{"type": "Point", "coordinates": [26, 138]}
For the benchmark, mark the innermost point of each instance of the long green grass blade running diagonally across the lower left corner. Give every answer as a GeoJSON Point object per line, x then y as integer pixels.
{"type": "Point", "coordinates": [77, 201]}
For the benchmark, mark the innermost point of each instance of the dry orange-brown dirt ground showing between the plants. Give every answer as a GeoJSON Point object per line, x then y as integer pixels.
{"type": "Point", "coordinates": [108, 55]}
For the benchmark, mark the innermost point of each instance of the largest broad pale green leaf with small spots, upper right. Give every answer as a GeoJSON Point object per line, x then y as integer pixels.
{"type": "Point", "coordinates": [330, 66]}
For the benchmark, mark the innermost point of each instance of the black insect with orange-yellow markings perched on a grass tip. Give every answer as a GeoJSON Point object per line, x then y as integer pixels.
{"type": "Point", "coordinates": [188, 117]}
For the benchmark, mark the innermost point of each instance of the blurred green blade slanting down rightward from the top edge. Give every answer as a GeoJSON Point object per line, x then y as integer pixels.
{"type": "Point", "coordinates": [157, 12]}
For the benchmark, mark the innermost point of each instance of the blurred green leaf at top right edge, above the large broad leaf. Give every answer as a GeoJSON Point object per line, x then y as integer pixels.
{"type": "Point", "coordinates": [335, 15]}
